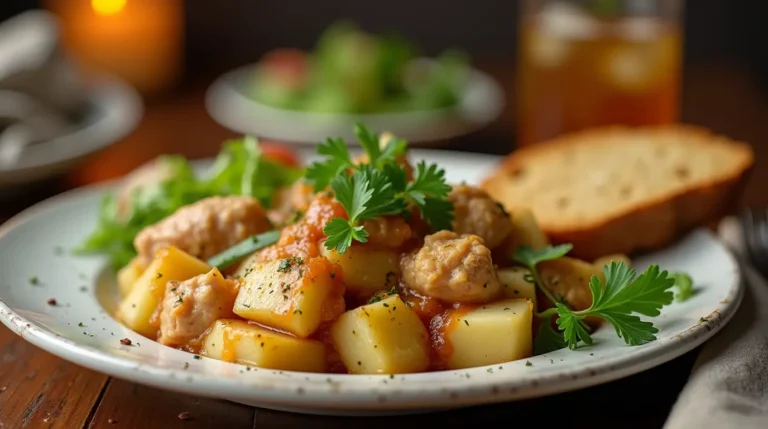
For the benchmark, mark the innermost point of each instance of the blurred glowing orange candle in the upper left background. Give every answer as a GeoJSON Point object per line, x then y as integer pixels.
{"type": "Point", "coordinates": [138, 40]}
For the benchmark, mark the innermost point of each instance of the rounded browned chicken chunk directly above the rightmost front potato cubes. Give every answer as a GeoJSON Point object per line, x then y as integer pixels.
{"type": "Point", "coordinates": [453, 268]}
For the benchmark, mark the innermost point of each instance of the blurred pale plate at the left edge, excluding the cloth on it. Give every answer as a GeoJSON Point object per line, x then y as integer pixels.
{"type": "Point", "coordinates": [114, 110]}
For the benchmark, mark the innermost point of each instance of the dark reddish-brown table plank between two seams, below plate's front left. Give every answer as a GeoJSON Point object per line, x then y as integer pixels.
{"type": "Point", "coordinates": [129, 405]}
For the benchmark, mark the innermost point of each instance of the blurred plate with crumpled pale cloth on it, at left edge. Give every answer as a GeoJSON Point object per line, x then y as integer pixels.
{"type": "Point", "coordinates": [49, 116]}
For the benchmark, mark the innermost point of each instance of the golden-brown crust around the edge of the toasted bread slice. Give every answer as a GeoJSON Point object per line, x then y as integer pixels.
{"type": "Point", "coordinates": [649, 224]}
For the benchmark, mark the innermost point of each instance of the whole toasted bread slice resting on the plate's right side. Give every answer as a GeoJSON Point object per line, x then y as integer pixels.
{"type": "Point", "coordinates": [622, 190]}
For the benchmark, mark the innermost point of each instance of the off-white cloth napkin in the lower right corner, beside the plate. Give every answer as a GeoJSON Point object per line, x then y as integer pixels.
{"type": "Point", "coordinates": [728, 387]}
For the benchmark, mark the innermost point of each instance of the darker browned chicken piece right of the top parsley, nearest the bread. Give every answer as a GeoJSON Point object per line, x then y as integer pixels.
{"type": "Point", "coordinates": [475, 212]}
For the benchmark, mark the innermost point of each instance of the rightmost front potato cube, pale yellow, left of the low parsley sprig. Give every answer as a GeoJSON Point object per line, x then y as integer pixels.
{"type": "Point", "coordinates": [488, 335]}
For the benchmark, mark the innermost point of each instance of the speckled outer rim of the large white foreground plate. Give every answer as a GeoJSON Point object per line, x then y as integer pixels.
{"type": "Point", "coordinates": [345, 393]}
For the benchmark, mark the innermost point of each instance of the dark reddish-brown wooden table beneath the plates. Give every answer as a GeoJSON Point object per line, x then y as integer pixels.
{"type": "Point", "coordinates": [39, 390]}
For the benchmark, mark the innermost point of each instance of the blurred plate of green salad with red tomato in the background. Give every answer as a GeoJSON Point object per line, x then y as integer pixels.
{"type": "Point", "coordinates": [303, 97]}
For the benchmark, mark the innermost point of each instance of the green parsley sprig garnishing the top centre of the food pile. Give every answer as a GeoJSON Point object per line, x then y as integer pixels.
{"type": "Point", "coordinates": [377, 188]}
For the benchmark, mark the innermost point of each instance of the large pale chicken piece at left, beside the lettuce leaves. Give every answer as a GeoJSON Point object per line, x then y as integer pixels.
{"type": "Point", "coordinates": [205, 228]}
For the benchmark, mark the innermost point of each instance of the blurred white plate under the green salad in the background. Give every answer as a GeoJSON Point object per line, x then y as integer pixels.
{"type": "Point", "coordinates": [228, 103]}
